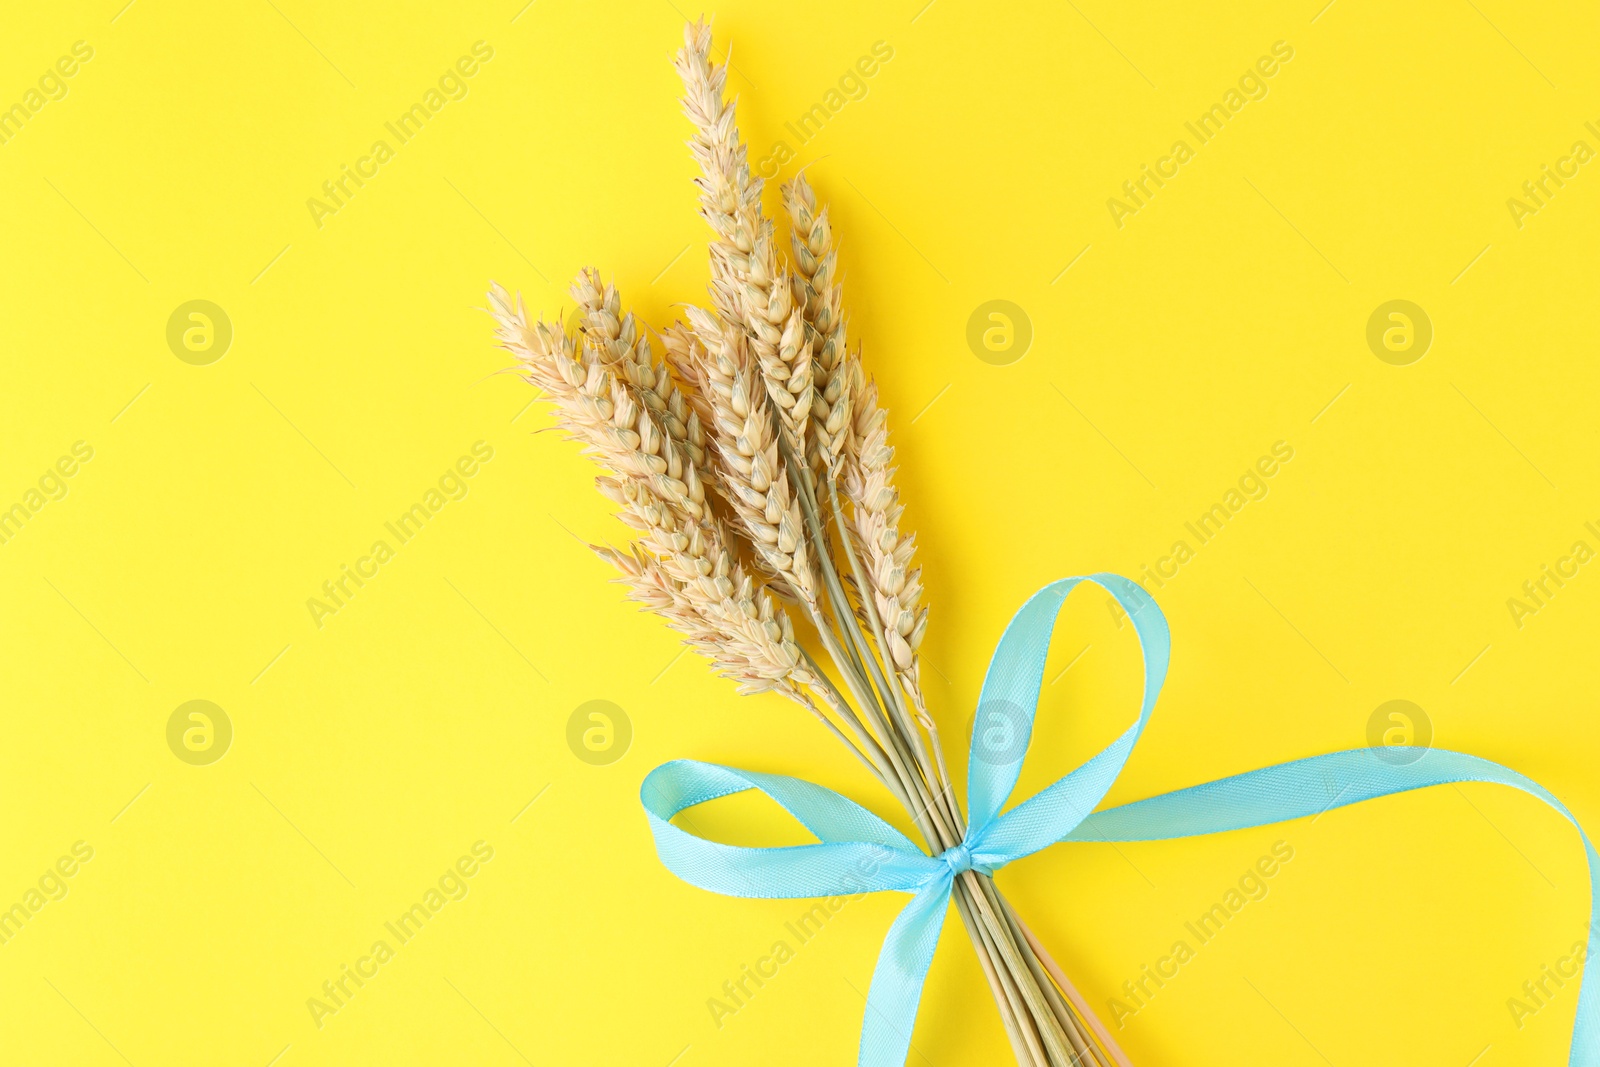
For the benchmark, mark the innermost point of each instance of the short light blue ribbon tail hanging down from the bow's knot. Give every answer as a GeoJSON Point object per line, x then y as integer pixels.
{"type": "Point", "coordinates": [900, 975]}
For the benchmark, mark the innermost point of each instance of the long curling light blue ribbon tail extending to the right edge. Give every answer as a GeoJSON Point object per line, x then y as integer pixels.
{"type": "Point", "coordinates": [1306, 788]}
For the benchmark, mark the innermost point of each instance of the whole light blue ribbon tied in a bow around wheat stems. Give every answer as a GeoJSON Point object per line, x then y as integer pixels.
{"type": "Point", "coordinates": [862, 853]}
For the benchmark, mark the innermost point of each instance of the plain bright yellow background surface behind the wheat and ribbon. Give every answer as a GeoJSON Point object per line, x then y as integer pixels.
{"type": "Point", "coordinates": [372, 753]}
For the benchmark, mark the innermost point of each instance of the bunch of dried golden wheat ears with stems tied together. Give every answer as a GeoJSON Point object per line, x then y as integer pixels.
{"type": "Point", "coordinates": [753, 458]}
